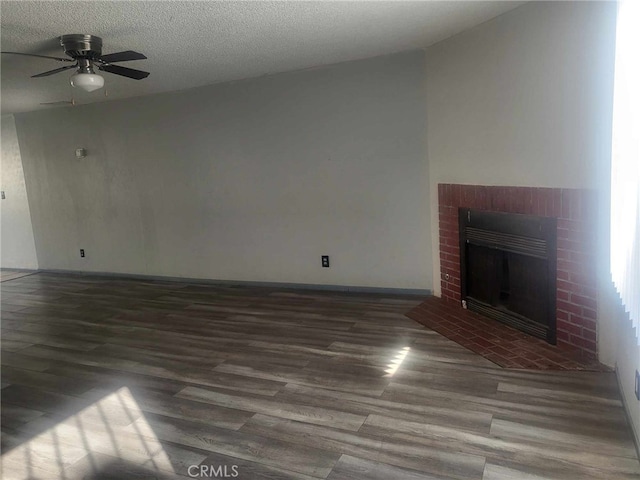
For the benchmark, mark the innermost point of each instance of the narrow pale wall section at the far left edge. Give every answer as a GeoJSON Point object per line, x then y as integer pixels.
{"type": "Point", "coordinates": [17, 246]}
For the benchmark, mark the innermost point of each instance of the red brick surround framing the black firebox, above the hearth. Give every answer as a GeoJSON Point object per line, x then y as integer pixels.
{"type": "Point", "coordinates": [575, 210]}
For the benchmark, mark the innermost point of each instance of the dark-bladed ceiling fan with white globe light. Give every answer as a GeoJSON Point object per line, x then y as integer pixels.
{"type": "Point", "coordinates": [86, 54]}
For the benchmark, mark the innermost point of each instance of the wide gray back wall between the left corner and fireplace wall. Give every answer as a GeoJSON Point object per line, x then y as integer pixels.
{"type": "Point", "coordinates": [246, 181]}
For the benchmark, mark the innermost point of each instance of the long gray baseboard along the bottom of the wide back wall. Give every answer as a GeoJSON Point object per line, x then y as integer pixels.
{"type": "Point", "coordinates": [240, 283]}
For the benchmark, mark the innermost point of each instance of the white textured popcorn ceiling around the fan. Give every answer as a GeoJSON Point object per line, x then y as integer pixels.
{"type": "Point", "coordinates": [190, 44]}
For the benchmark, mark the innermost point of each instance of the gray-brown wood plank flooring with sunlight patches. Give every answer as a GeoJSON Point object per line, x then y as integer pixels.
{"type": "Point", "coordinates": [119, 378]}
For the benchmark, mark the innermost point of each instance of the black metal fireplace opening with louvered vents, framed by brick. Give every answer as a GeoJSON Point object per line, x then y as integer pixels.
{"type": "Point", "coordinates": [508, 269]}
